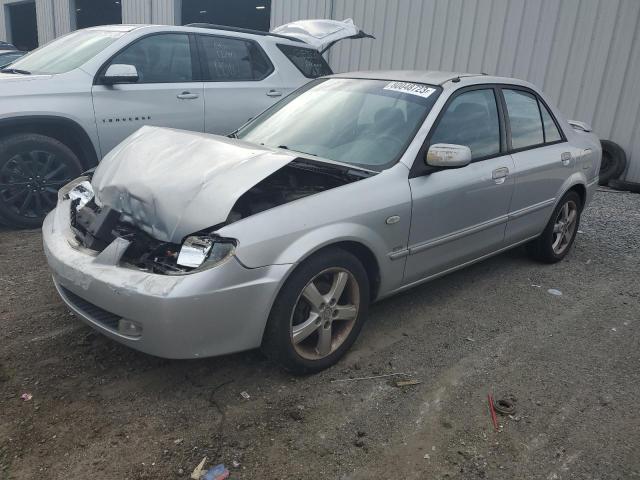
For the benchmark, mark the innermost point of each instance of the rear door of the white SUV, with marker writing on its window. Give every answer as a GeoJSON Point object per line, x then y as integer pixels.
{"type": "Point", "coordinates": [239, 81]}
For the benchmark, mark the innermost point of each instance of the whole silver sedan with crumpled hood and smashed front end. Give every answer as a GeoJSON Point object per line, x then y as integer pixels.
{"type": "Point", "coordinates": [353, 188]}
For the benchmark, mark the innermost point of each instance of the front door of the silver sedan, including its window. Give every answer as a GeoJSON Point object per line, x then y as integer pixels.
{"type": "Point", "coordinates": [460, 214]}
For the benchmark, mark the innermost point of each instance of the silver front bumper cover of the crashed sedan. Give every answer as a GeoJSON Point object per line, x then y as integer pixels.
{"type": "Point", "coordinates": [213, 312]}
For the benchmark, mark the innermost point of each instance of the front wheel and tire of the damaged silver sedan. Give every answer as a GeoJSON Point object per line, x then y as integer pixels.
{"type": "Point", "coordinates": [299, 311]}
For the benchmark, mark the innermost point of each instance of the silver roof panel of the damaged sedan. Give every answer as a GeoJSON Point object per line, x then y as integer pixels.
{"type": "Point", "coordinates": [431, 77]}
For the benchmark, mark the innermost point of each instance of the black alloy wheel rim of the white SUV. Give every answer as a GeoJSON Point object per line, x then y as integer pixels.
{"type": "Point", "coordinates": [29, 182]}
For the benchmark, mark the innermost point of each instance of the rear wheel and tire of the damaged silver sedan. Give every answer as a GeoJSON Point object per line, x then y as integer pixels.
{"type": "Point", "coordinates": [550, 247]}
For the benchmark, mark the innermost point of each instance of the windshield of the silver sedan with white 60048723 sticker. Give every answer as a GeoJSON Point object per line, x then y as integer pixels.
{"type": "Point", "coordinates": [365, 123]}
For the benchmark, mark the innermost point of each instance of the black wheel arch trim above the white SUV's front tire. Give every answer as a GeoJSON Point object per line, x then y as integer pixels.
{"type": "Point", "coordinates": [63, 129]}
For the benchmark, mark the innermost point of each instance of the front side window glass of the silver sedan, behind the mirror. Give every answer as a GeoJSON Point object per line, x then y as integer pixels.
{"type": "Point", "coordinates": [471, 119]}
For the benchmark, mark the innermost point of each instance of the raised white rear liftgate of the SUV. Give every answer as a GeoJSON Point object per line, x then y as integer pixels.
{"type": "Point", "coordinates": [322, 34]}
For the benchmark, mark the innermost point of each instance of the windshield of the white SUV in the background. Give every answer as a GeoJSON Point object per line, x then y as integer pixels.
{"type": "Point", "coordinates": [66, 53]}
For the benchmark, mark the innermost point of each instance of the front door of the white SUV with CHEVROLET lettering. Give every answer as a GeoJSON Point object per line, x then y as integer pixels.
{"type": "Point", "coordinates": [167, 93]}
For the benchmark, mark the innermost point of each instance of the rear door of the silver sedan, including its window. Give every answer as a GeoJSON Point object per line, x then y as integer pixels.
{"type": "Point", "coordinates": [542, 158]}
